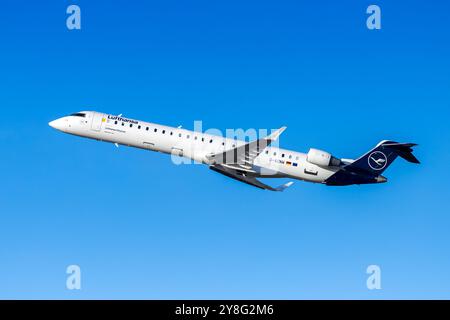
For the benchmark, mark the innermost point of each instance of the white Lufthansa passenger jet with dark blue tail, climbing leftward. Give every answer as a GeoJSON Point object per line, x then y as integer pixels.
{"type": "Point", "coordinates": [240, 160]}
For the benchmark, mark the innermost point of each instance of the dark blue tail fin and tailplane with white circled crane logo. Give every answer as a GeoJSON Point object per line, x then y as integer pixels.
{"type": "Point", "coordinates": [378, 159]}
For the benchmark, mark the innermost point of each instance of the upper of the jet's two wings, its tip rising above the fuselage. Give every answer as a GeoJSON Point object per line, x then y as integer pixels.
{"type": "Point", "coordinates": [245, 154]}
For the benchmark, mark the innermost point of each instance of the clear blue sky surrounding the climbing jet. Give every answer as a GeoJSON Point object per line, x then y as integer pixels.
{"type": "Point", "coordinates": [141, 227]}
